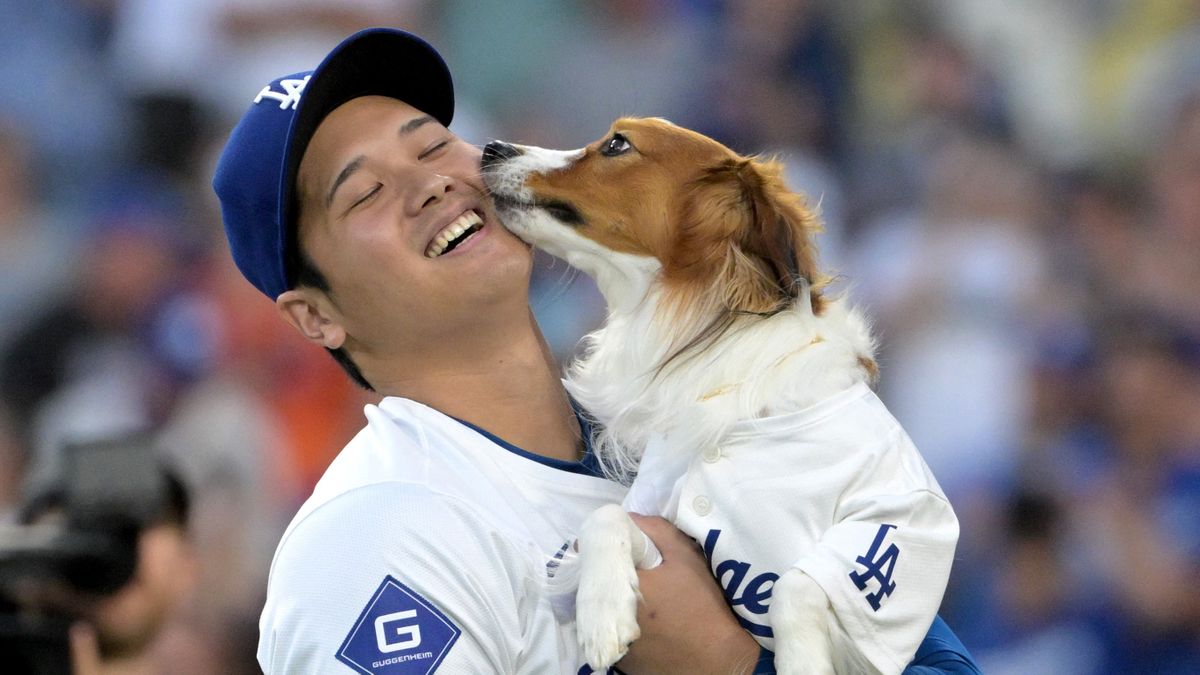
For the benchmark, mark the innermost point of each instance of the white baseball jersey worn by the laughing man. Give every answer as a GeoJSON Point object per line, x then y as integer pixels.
{"type": "Point", "coordinates": [430, 547]}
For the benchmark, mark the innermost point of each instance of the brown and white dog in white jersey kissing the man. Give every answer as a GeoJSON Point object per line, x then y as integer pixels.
{"type": "Point", "coordinates": [718, 318]}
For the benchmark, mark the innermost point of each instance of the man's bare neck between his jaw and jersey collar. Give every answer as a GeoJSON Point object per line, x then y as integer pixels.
{"type": "Point", "coordinates": [511, 387]}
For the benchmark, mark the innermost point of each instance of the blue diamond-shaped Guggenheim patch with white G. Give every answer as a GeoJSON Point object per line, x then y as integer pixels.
{"type": "Point", "coordinates": [399, 634]}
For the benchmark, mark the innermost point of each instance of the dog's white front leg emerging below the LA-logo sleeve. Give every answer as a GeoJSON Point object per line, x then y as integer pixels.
{"type": "Point", "coordinates": [800, 616]}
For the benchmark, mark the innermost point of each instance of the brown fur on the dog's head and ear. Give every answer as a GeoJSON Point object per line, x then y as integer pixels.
{"type": "Point", "coordinates": [728, 231]}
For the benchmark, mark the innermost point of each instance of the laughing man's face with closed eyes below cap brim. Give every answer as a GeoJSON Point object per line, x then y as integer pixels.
{"type": "Point", "coordinates": [380, 186]}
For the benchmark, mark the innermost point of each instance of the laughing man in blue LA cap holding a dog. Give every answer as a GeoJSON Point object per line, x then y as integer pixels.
{"type": "Point", "coordinates": [440, 540]}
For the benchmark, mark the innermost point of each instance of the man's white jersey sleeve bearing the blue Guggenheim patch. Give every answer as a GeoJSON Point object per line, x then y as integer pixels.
{"type": "Point", "coordinates": [392, 580]}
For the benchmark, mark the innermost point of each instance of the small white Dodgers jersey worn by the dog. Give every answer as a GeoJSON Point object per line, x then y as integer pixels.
{"type": "Point", "coordinates": [837, 491]}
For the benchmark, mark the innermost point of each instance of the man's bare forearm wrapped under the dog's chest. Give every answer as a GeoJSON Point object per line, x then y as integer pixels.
{"type": "Point", "coordinates": [687, 626]}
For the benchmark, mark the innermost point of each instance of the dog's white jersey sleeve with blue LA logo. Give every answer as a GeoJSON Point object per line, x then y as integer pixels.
{"type": "Point", "coordinates": [887, 558]}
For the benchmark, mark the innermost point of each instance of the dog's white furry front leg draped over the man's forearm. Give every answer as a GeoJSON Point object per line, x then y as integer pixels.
{"type": "Point", "coordinates": [607, 606]}
